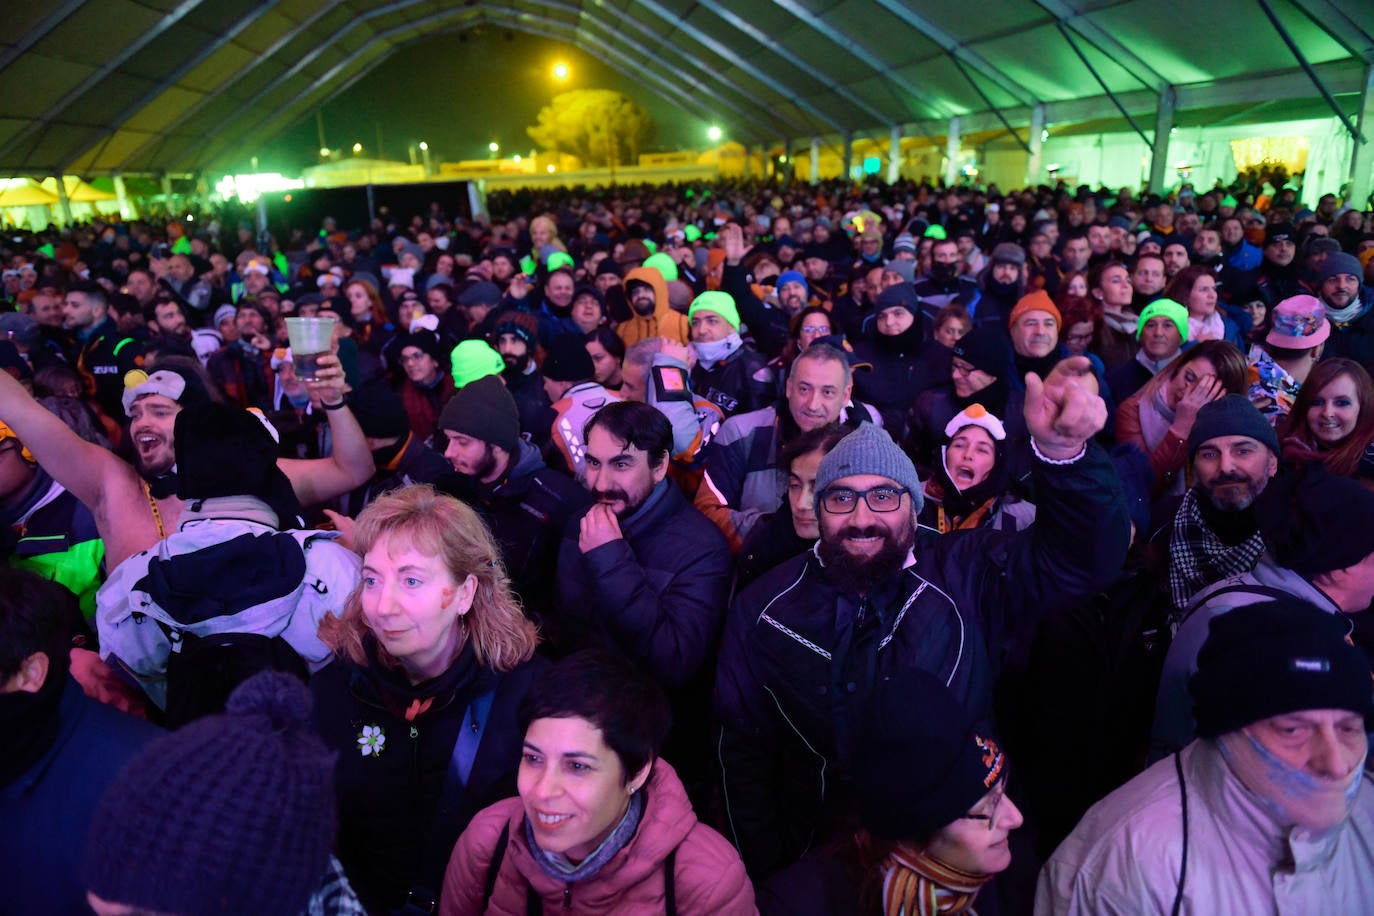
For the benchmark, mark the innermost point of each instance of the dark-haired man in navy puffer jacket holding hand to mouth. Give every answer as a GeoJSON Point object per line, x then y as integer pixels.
{"type": "Point", "coordinates": [648, 576]}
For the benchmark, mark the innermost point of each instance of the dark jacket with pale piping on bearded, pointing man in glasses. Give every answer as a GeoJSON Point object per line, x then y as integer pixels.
{"type": "Point", "coordinates": [800, 654]}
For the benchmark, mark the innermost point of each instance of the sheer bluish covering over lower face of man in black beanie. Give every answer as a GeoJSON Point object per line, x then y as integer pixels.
{"type": "Point", "coordinates": [1295, 797]}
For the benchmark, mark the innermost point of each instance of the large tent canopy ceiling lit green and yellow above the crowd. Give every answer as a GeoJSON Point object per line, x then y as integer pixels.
{"type": "Point", "coordinates": [94, 87]}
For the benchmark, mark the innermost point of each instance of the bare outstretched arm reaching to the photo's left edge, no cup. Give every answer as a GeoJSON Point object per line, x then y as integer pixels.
{"type": "Point", "coordinates": [87, 470]}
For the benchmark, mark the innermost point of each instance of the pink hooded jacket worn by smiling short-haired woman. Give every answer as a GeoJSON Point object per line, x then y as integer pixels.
{"type": "Point", "coordinates": [708, 875]}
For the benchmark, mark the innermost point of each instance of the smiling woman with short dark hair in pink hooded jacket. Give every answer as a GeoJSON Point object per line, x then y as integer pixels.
{"type": "Point", "coordinates": [601, 826]}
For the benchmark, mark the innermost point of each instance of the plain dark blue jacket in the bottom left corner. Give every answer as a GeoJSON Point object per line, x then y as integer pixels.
{"type": "Point", "coordinates": [46, 814]}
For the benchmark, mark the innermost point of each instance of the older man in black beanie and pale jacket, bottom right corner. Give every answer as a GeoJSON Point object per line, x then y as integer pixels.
{"type": "Point", "coordinates": [1268, 812]}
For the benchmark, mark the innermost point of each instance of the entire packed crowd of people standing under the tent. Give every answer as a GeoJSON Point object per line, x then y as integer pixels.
{"type": "Point", "coordinates": [840, 549]}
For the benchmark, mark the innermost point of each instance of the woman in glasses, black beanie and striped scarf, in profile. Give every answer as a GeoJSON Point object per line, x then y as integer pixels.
{"type": "Point", "coordinates": [935, 819]}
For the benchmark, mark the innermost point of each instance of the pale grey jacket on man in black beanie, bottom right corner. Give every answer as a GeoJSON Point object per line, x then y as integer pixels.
{"type": "Point", "coordinates": [1127, 852]}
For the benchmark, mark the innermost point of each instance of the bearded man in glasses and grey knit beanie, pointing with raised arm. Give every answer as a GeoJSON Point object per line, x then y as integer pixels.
{"type": "Point", "coordinates": [807, 643]}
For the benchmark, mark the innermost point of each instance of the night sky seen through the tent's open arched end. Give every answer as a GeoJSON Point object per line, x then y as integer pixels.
{"type": "Point", "coordinates": [460, 95]}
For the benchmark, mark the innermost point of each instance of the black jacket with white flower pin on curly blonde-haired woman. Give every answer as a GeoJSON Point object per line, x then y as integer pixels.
{"type": "Point", "coordinates": [396, 823]}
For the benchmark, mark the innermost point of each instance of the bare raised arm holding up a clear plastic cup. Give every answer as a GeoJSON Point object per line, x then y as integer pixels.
{"type": "Point", "coordinates": [351, 463]}
